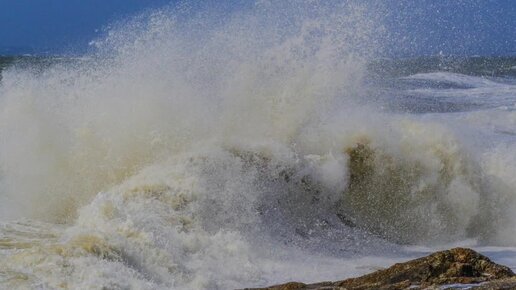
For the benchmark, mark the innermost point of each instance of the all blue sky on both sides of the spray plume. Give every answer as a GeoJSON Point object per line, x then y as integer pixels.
{"type": "Point", "coordinates": [417, 27]}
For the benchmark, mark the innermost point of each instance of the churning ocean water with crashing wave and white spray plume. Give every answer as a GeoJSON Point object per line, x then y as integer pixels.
{"type": "Point", "coordinates": [221, 151]}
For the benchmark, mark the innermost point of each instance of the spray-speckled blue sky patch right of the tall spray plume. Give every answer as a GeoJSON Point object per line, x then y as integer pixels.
{"type": "Point", "coordinates": [471, 27]}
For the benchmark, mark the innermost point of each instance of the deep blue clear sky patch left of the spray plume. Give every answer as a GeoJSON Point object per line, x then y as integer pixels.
{"type": "Point", "coordinates": [60, 25]}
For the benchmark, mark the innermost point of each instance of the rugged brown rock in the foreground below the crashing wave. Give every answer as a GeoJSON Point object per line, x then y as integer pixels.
{"type": "Point", "coordinates": [455, 266]}
